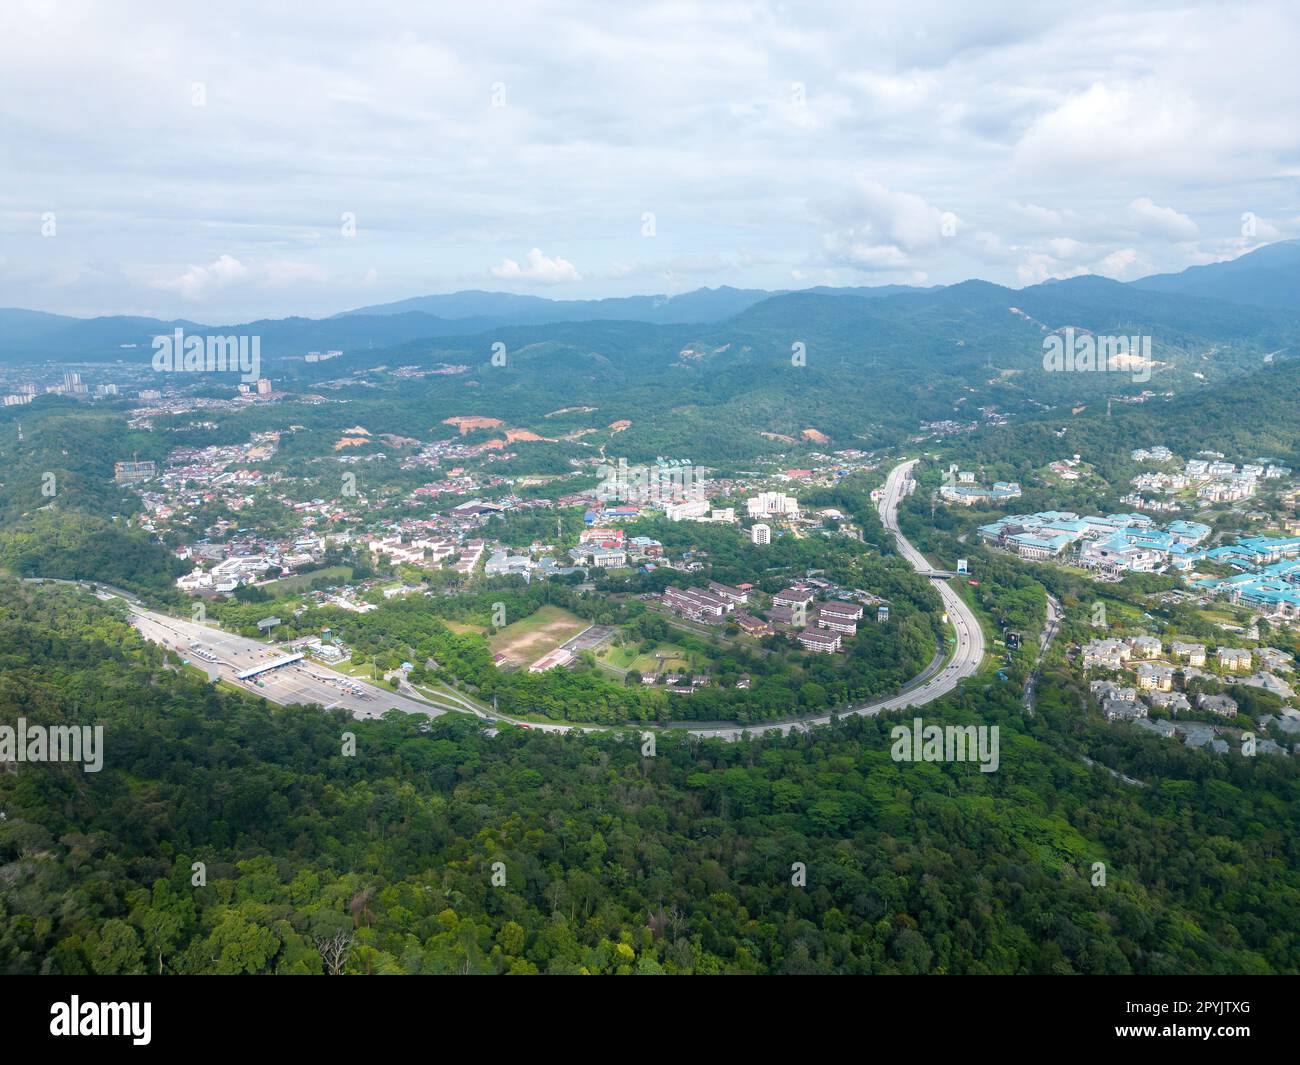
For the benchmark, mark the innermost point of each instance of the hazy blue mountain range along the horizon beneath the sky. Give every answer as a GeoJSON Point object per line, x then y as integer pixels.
{"type": "Point", "coordinates": [1194, 306]}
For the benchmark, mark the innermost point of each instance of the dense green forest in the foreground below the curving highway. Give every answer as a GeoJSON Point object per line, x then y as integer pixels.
{"type": "Point", "coordinates": [613, 863]}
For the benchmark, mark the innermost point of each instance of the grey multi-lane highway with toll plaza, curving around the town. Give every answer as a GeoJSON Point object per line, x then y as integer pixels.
{"type": "Point", "coordinates": [306, 682]}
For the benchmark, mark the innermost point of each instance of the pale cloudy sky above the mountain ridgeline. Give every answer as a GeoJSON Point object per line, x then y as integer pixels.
{"type": "Point", "coordinates": [226, 162]}
